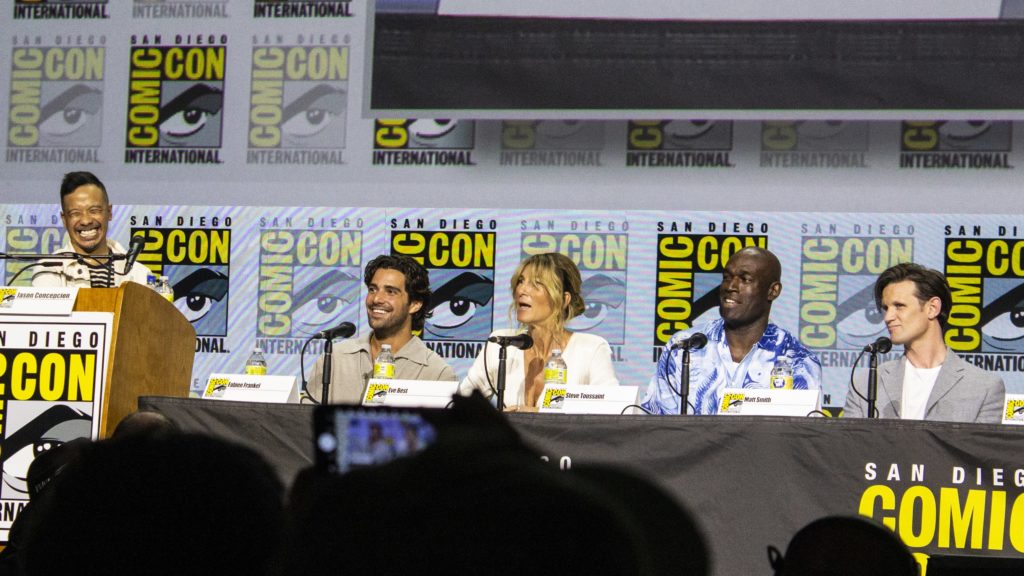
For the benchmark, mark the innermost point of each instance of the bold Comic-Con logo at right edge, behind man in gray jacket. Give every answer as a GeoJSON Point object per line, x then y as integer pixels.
{"type": "Point", "coordinates": [987, 277]}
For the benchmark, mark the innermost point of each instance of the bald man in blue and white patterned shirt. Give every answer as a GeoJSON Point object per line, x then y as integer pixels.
{"type": "Point", "coordinates": [743, 345]}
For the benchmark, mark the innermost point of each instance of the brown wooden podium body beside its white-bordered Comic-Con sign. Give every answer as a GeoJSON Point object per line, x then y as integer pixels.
{"type": "Point", "coordinates": [153, 348]}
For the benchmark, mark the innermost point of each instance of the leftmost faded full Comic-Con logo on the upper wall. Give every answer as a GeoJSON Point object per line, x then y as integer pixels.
{"type": "Point", "coordinates": [57, 100]}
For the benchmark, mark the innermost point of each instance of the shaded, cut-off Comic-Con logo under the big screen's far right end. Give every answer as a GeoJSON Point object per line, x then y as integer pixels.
{"type": "Point", "coordinates": [977, 145]}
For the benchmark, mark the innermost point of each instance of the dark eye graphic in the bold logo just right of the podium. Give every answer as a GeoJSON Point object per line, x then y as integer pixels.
{"type": "Point", "coordinates": [200, 297]}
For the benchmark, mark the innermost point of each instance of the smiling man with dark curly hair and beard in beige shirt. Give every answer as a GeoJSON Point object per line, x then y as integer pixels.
{"type": "Point", "coordinates": [398, 297]}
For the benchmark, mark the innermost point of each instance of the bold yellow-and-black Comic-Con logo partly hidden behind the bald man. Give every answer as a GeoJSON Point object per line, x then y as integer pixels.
{"type": "Point", "coordinates": [689, 274]}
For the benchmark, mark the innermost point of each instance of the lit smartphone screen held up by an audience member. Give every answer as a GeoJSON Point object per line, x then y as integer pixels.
{"type": "Point", "coordinates": [354, 437]}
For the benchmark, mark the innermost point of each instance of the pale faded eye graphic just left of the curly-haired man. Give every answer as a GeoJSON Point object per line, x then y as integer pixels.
{"type": "Point", "coordinates": [323, 302]}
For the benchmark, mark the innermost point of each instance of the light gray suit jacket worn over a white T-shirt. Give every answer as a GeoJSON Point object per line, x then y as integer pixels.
{"type": "Point", "coordinates": [963, 393]}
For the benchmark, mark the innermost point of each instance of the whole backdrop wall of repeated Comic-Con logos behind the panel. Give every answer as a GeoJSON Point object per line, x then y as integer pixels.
{"type": "Point", "coordinates": [236, 138]}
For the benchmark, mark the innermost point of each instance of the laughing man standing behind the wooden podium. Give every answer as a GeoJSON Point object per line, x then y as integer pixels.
{"type": "Point", "coordinates": [87, 212]}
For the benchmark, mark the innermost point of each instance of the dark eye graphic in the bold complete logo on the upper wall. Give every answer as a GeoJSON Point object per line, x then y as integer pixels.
{"type": "Point", "coordinates": [193, 117]}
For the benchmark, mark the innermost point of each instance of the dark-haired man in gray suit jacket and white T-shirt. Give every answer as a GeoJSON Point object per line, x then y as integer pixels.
{"type": "Point", "coordinates": [929, 382]}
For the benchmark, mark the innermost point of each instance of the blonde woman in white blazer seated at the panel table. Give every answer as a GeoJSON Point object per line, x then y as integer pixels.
{"type": "Point", "coordinates": [546, 296]}
